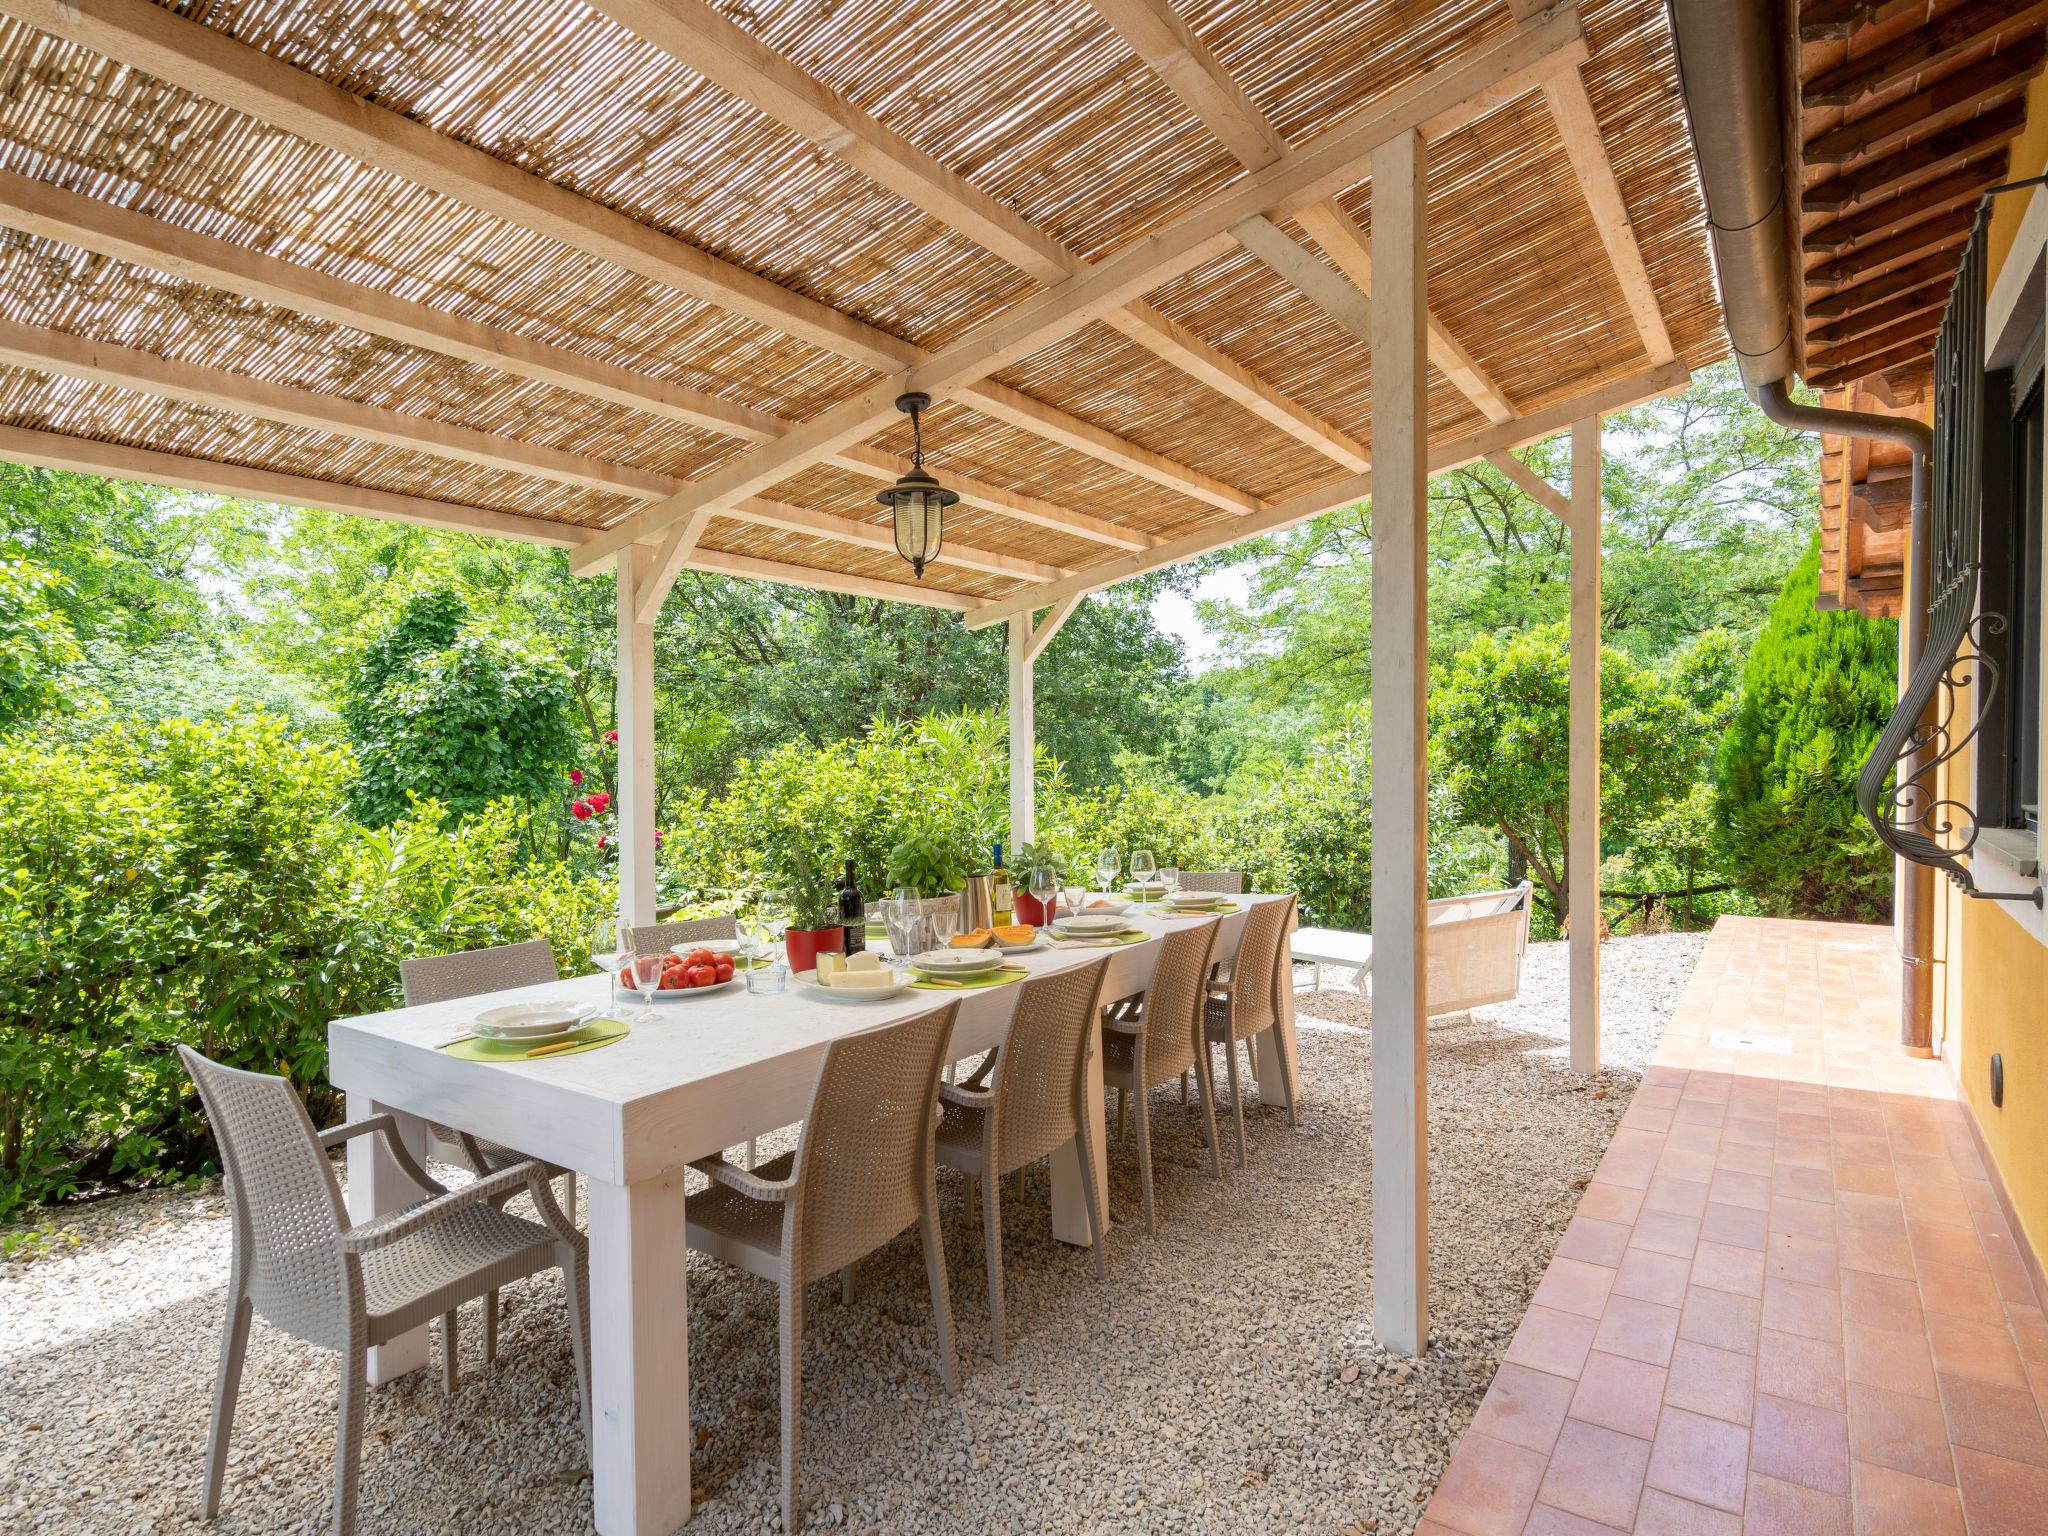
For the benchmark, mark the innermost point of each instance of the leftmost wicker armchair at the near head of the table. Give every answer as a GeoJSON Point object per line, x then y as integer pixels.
{"type": "Point", "coordinates": [345, 1289]}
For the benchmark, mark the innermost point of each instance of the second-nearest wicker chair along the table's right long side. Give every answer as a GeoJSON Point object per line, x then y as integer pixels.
{"type": "Point", "coordinates": [1035, 1103]}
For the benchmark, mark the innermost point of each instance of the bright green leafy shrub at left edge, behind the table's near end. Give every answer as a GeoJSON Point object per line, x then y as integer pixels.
{"type": "Point", "coordinates": [204, 884]}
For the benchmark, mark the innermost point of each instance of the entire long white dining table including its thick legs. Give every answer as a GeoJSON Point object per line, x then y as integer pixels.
{"type": "Point", "coordinates": [708, 1076]}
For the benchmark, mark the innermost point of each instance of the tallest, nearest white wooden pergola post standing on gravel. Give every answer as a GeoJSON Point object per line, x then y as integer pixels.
{"type": "Point", "coordinates": [1400, 771]}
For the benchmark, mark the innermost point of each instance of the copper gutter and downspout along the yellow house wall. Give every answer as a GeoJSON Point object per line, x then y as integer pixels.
{"type": "Point", "coordinates": [1730, 77]}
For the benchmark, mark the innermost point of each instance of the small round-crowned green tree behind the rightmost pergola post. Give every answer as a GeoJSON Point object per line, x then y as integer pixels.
{"type": "Point", "coordinates": [1500, 734]}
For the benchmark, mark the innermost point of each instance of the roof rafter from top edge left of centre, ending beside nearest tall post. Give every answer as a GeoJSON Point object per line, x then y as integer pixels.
{"type": "Point", "coordinates": [740, 65]}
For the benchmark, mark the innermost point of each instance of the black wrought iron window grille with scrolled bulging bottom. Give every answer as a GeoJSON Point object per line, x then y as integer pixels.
{"type": "Point", "coordinates": [1955, 683]}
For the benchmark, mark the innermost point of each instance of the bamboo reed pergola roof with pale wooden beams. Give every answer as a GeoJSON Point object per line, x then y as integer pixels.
{"type": "Point", "coordinates": [646, 275]}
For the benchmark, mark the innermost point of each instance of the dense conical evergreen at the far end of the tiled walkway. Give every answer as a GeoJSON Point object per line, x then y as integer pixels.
{"type": "Point", "coordinates": [1816, 693]}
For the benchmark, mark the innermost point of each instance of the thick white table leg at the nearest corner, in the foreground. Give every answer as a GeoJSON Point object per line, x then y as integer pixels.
{"type": "Point", "coordinates": [640, 1357]}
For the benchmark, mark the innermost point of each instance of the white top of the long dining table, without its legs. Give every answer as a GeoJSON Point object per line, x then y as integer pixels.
{"type": "Point", "coordinates": [712, 1074]}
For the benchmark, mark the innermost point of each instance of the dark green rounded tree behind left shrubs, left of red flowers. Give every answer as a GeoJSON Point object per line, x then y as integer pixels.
{"type": "Point", "coordinates": [447, 710]}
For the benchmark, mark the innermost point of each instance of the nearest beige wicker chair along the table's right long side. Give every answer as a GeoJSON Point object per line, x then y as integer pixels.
{"type": "Point", "coordinates": [861, 1175]}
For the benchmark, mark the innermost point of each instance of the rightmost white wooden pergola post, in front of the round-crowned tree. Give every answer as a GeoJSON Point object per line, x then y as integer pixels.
{"type": "Point", "coordinates": [1584, 761]}
